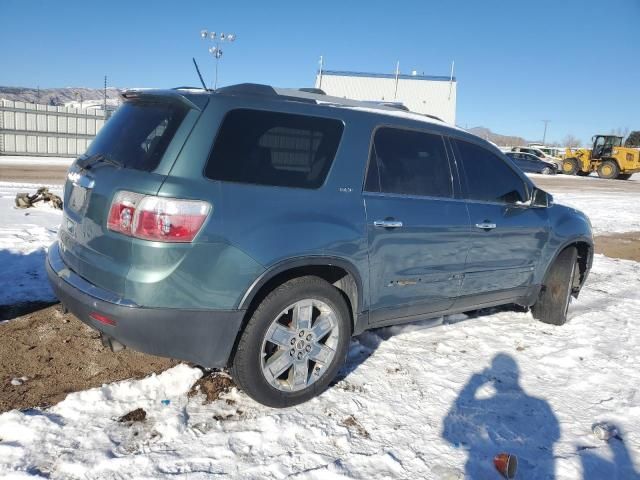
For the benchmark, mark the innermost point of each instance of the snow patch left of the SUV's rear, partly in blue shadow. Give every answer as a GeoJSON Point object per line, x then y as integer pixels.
{"type": "Point", "coordinates": [25, 235]}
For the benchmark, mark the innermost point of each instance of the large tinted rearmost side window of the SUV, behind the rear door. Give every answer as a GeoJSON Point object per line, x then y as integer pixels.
{"type": "Point", "coordinates": [271, 148]}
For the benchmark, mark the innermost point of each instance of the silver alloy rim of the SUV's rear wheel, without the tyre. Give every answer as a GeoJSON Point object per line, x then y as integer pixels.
{"type": "Point", "coordinates": [299, 345]}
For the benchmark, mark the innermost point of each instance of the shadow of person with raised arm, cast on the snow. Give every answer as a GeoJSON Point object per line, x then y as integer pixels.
{"type": "Point", "coordinates": [493, 414]}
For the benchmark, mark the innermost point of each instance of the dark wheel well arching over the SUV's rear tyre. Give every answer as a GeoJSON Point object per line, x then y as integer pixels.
{"type": "Point", "coordinates": [335, 275]}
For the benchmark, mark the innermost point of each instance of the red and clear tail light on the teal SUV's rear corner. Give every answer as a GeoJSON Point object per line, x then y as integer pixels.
{"type": "Point", "coordinates": [157, 218]}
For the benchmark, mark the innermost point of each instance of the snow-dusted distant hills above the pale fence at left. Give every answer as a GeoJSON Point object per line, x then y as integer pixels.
{"type": "Point", "coordinates": [69, 97]}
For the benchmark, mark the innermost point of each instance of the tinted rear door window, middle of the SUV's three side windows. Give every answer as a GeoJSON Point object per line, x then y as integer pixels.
{"type": "Point", "coordinates": [409, 163]}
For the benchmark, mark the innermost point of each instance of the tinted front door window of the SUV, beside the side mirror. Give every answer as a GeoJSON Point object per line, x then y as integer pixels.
{"type": "Point", "coordinates": [489, 178]}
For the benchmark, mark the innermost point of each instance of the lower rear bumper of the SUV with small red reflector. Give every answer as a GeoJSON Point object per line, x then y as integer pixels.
{"type": "Point", "coordinates": [205, 337]}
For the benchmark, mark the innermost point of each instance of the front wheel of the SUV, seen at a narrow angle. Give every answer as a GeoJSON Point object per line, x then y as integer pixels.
{"type": "Point", "coordinates": [555, 296]}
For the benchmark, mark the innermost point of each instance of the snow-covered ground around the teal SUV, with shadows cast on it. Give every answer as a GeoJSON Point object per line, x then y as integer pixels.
{"type": "Point", "coordinates": [434, 400]}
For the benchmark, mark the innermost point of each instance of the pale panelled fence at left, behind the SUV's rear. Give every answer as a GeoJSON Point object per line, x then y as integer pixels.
{"type": "Point", "coordinates": [33, 129]}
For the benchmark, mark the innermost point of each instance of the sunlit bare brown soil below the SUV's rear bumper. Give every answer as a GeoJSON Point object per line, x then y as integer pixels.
{"type": "Point", "coordinates": [59, 354]}
